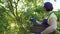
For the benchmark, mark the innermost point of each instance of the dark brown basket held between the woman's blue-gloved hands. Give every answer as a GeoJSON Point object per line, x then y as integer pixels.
{"type": "Point", "coordinates": [39, 28]}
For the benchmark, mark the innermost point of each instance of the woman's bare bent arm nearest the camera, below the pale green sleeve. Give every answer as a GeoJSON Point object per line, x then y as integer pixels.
{"type": "Point", "coordinates": [52, 27]}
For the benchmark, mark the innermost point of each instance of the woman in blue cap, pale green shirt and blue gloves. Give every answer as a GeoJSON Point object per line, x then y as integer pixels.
{"type": "Point", "coordinates": [52, 19]}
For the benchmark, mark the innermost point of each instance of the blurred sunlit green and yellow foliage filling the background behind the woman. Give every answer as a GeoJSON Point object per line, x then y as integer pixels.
{"type": "Point", "coordinates": [15, 15]}
